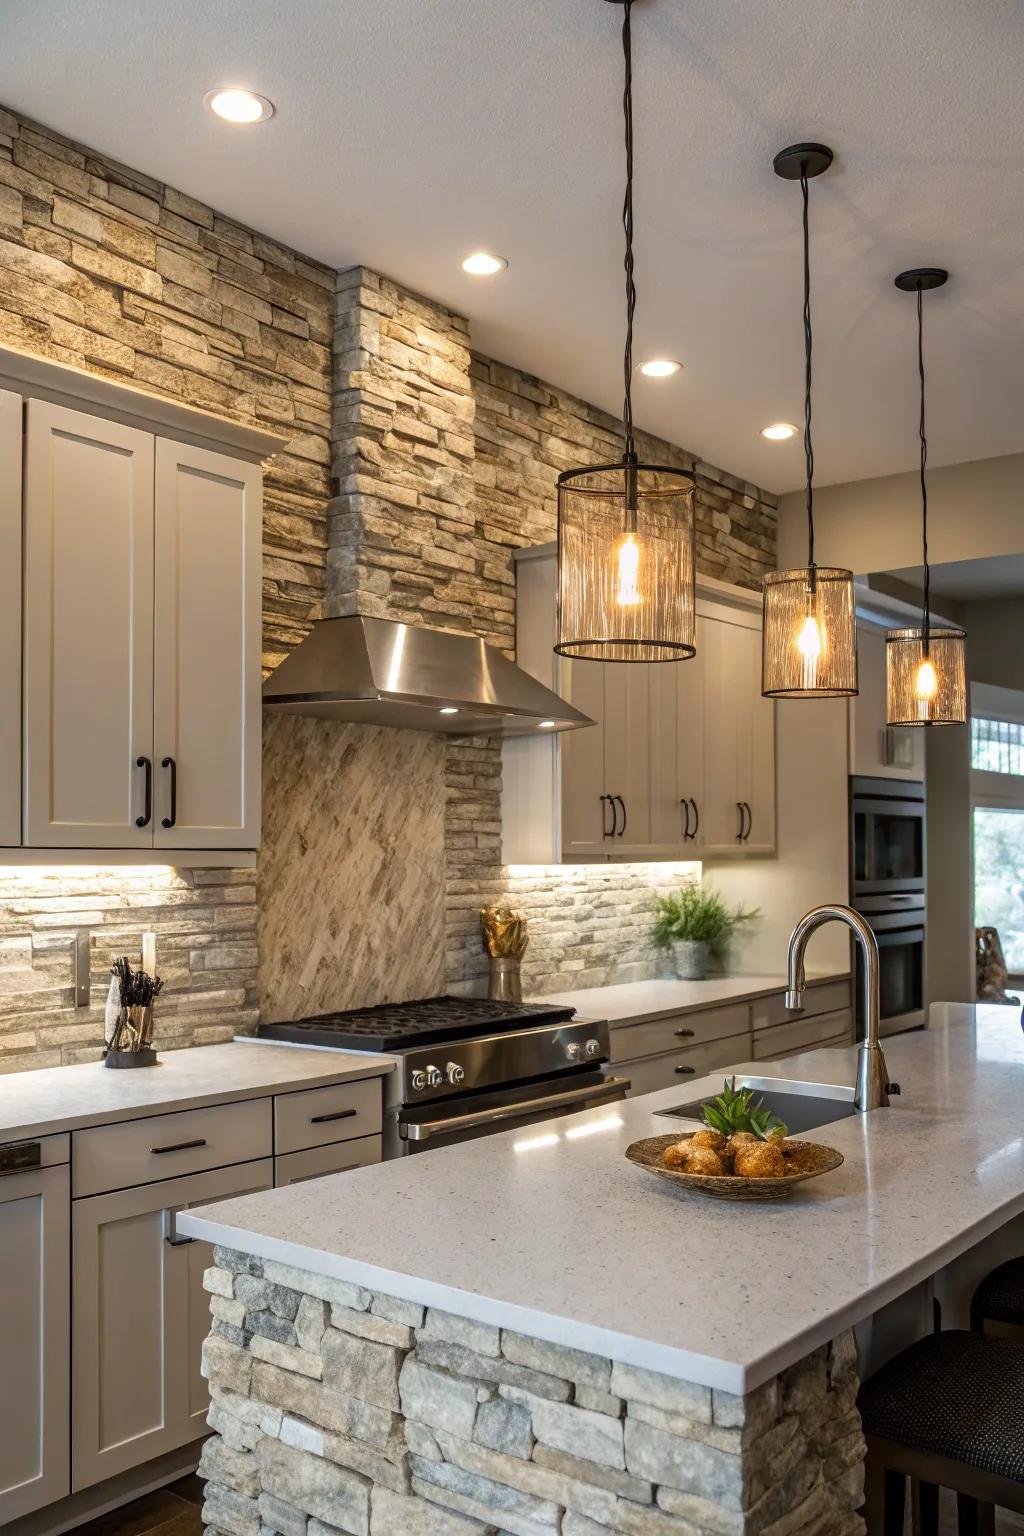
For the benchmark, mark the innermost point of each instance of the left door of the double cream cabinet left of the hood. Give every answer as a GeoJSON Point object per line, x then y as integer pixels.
{"type": "Point", "coordinates": [88, 631]}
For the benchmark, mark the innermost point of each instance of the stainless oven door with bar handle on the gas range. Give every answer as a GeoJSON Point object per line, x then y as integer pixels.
{"type": "Point", "coordinates": [483, 1114]}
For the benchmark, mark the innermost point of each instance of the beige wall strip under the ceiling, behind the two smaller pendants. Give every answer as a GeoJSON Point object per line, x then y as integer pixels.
{"type": "Point", "coordinates": [876, 526]}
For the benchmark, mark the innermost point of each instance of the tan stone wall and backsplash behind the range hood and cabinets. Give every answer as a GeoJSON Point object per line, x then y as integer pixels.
{"type": "Point", "coordinates": [412, 472]}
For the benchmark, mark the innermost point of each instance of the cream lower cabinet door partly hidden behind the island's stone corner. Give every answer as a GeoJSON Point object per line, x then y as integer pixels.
{"type": "Point", "coordinates": [139, 1320]}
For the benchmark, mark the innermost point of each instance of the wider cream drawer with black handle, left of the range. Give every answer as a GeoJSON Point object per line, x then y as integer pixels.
{"type": "Point", "coordinates": [165, 1147]}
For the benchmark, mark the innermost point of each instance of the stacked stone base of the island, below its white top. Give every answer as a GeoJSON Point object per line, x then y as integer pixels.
{"type": "Point", "coordinates": [339, 1409]}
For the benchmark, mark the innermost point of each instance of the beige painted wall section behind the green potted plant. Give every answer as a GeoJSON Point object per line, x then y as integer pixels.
{"type": "Point", "coordinates": [813, 864]}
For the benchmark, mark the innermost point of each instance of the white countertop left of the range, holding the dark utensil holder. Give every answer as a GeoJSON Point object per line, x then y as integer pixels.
{"type": "Point", "coordinates": [91, 1094]}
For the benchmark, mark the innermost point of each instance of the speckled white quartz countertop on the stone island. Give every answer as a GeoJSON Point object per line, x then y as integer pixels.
{"type": "Point", "coordinates": [552, 1233]}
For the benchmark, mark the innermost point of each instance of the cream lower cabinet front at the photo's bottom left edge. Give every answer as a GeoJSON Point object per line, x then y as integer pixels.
{"type": "Point", "coordinates": [35, 1328]}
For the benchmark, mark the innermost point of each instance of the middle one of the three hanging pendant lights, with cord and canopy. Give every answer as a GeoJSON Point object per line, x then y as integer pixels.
{"type": "Point", "coordinates": [810, 638]}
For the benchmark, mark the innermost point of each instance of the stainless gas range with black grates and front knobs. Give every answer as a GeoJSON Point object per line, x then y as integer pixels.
{"type": "Point", "coordinates": [467, 1065]}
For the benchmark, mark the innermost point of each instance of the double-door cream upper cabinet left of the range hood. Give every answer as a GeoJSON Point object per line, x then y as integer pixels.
{"type": "Point", "coordinates": [142, 640]}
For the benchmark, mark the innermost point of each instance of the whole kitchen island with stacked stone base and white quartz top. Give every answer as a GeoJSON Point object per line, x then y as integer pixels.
{"type": "Point", "coordinates": [527, 1334]}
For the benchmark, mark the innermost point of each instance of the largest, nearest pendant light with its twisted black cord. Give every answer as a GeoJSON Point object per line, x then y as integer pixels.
{"type": "Point", "coordinates": [627, 531]}
